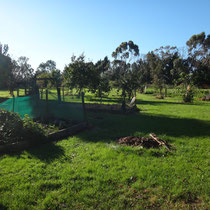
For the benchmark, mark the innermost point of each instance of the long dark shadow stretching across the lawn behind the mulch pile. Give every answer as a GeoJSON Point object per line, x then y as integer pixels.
{"type": "Point", "coordinates": [108, 127]}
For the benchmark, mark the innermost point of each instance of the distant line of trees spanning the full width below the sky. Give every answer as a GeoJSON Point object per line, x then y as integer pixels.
{"type": "Point", "coordinates": [128, 72]}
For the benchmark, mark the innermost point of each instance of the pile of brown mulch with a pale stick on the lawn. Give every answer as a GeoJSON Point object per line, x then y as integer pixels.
{"type": "Point", "coordinates": [147, 142]}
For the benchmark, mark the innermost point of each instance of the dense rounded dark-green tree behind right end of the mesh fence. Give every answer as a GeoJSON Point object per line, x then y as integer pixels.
{"type": "Point", "coordinates": [78, 74]}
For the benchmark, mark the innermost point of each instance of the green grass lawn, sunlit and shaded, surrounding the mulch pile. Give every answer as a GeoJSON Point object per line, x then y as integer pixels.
{"type": "Point", "coordinates": [91, 171]}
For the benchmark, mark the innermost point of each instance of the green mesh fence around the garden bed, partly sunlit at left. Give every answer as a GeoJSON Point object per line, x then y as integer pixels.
{"type": "Point", "coordinates": [37, 106]}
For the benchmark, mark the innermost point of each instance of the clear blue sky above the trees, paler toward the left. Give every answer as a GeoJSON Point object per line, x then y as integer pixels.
{"type": "Point", "coordinates": [55, 29]}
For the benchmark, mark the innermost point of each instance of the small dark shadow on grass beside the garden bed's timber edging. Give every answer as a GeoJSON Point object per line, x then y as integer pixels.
{"type": "Point", "coordinates": [47, 152]}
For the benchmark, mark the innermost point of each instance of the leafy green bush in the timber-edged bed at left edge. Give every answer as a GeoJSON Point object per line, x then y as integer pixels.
{"type": "Point", "coordinates": [14, 129]}
